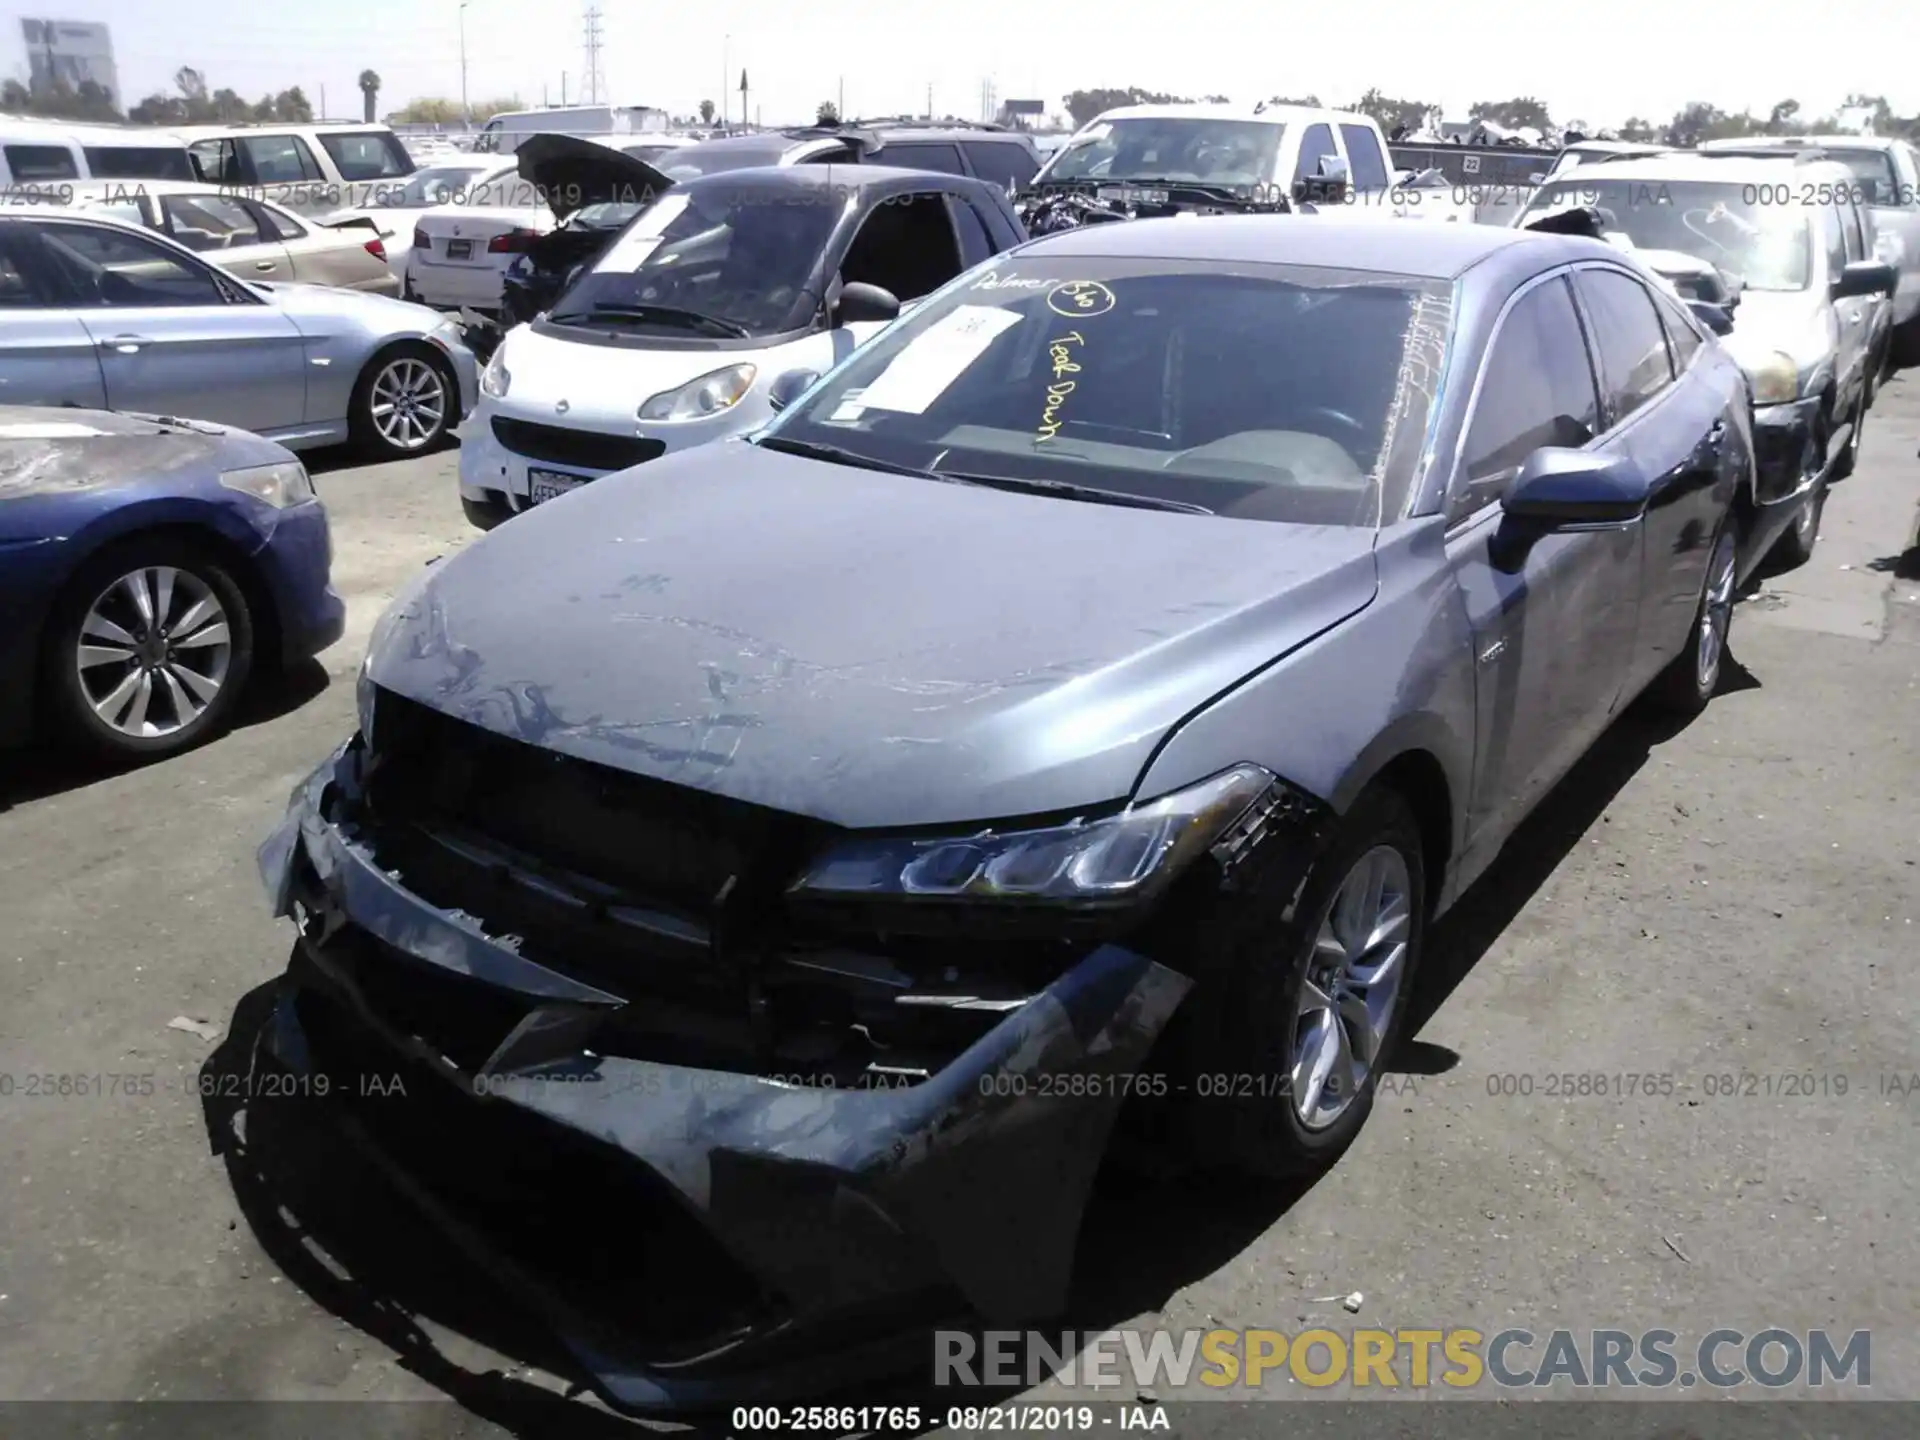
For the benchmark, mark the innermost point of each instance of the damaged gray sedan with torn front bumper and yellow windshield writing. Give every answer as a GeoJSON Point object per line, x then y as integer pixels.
{"type": "Point", "coordinates": [1084, 696]}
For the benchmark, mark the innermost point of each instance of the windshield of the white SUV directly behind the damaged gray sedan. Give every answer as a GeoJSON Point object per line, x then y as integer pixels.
{"type": "Point", "coordinates": [1733, 228]}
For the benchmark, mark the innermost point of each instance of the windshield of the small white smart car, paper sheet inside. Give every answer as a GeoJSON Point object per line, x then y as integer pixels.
{"type": "Point", "coordinates": [736, 254]}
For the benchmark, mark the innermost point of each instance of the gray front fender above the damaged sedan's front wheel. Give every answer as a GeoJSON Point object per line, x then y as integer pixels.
{"type": "Point", "coordinates": [1335, 713]}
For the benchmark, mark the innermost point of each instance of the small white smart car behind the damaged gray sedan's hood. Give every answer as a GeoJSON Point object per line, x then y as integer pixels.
{"type": "Point", "coordinates": [717, 304]}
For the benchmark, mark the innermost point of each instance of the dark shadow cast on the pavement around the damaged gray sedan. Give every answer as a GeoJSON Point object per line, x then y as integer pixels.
{"type": "Point", "coordinates": [356, 1247]}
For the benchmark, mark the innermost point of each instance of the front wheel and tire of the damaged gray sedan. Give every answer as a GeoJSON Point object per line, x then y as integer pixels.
{"type": "Point", "coordinates": [1255, 1109]}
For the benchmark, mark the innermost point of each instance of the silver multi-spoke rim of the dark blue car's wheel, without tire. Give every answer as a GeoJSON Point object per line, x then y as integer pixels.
{"type": "Point", "coordinates": [155, 652]}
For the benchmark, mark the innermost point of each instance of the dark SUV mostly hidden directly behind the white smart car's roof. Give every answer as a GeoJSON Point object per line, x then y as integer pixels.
{"type": "Point", "coordinates": [1003, 158]}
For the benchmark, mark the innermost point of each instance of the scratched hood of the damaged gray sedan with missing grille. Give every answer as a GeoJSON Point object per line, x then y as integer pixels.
{"type": "Point", "coordinates": [861, 648]}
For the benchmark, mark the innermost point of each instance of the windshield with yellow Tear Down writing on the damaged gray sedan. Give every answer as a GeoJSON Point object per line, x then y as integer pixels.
{"type": "Point", "coordinates": [1266, 393]}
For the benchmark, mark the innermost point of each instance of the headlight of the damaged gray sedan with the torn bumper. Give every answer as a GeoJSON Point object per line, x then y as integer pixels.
{"type": "Point", "coordinates": [1115, 859]}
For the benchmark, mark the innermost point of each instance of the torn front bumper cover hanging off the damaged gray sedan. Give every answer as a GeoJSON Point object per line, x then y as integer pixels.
{"type": "Point", "coordinates": [834, 1207]}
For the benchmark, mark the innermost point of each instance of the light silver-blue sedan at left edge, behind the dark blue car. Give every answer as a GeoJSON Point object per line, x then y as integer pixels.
{"type": "Point", "coordinates": [108, 316]}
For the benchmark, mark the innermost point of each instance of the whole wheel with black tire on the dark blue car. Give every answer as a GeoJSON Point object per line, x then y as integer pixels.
{"type": "Point", "coordinates": [174, 690]}
